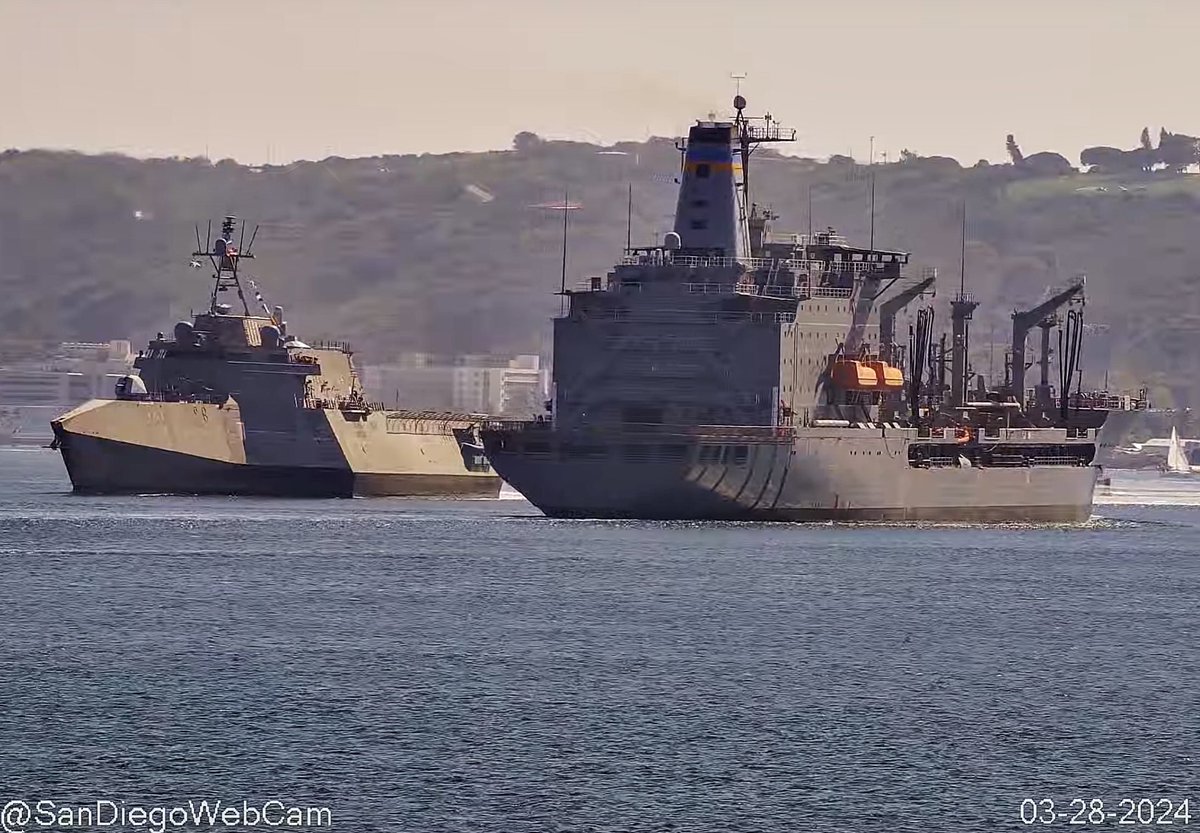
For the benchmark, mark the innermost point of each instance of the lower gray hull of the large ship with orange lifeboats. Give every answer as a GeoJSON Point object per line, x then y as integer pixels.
{"type": "Point", "coordinates": [830, 478]}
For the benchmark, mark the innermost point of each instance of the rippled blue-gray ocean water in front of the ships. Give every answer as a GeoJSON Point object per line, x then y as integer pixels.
{"type": "Point", "coordinates": [472, 667]}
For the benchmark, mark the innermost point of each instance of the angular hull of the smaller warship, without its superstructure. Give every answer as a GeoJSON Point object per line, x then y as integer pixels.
{"type": "Point", "coordinates": [123, 448]}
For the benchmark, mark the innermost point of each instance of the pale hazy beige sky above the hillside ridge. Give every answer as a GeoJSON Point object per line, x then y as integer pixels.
{"type": "Point", "coordinates": [283, 80]}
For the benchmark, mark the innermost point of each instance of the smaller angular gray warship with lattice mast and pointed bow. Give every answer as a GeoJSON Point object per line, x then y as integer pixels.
{"type": "Point", "coordinates": [237, 405]}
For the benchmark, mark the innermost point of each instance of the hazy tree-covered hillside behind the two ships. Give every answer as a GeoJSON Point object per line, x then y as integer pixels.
{"type": "Point", "coordinates": [452, 254]}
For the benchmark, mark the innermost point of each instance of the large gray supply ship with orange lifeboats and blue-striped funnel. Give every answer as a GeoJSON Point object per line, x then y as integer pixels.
{"type": "Point", "coordinates": [736, 374]}
